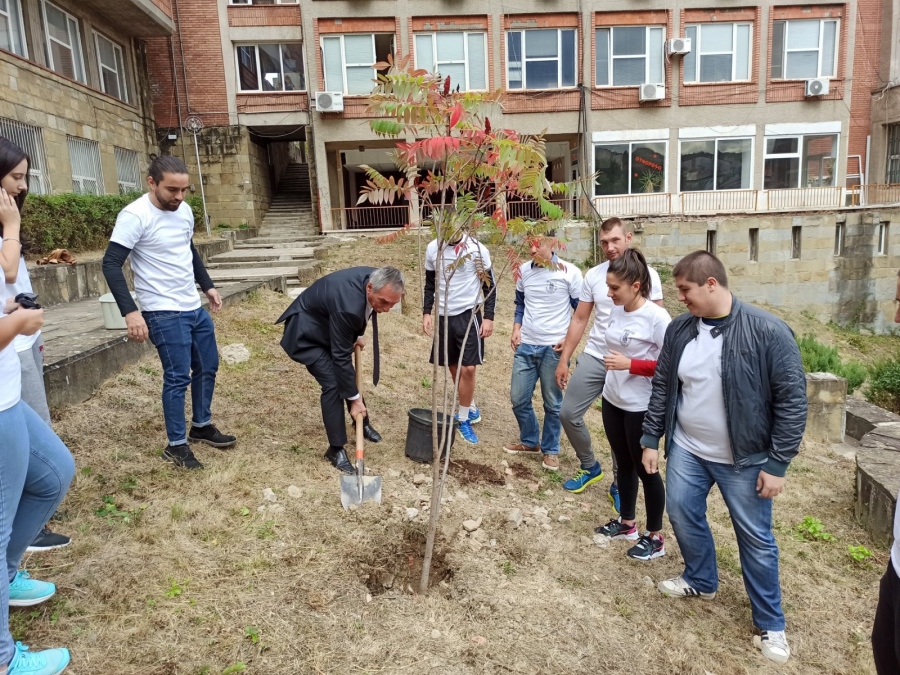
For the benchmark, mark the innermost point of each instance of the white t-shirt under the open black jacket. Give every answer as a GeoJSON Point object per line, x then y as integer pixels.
{"type": "Point", "coordinates": [701, 425]}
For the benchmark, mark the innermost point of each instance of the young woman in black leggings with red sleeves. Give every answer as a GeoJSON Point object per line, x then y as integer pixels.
{"type": "Point", "coordinates": [634, 338]}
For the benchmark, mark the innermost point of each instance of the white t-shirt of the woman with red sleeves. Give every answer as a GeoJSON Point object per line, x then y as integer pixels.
{"type": "Point", "coordinates": [636, 335]}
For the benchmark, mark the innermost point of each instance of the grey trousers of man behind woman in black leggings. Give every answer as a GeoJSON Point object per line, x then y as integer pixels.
{"type": "Point", "coordinates": [585, 387]}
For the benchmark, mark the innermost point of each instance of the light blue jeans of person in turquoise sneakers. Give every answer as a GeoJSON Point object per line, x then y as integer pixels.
{"type": "Point", "coordinates": [35, 472]}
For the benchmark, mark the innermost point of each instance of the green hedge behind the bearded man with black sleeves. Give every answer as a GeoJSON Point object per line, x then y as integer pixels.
{"type": "Point", "coordinates": [78, 222]}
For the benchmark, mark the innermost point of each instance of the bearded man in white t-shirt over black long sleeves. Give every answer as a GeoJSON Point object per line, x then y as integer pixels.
{"type": "Point", "coordinates": [155, 230]}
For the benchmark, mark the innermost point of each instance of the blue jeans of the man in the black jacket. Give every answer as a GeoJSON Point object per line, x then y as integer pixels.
{"type": "Point", "coordinates": [688, 482]}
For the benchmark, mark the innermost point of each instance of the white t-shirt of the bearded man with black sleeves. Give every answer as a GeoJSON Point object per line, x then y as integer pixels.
{"type": "Point", "coordinates": [161, 259]}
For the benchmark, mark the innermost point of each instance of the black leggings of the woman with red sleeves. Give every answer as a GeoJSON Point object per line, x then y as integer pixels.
{"type": "Point", "coordinates": [623, 430]}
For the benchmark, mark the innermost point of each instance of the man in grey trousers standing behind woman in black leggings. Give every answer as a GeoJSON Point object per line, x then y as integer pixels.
{"type": "Point", "coordinates": [587, 381]}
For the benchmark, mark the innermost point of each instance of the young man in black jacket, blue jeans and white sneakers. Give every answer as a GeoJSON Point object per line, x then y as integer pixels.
{"type": "Point", "coordinates": [729, 395]}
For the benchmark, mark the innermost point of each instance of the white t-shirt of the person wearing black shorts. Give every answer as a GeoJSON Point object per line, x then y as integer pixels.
{"type": "Point", "coordinates": [464, 289]}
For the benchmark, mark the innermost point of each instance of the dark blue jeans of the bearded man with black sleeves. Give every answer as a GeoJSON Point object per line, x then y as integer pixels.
{"type": "Point", "coordinates": [186, 342]}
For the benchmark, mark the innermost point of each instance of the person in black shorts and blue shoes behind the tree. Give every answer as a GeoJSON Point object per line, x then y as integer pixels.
{"type": "Point", "coordinates": [459, 276]}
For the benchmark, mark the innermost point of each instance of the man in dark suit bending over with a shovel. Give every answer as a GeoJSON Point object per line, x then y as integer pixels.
{"type": "Point", "coordinates": [322, 327]}
